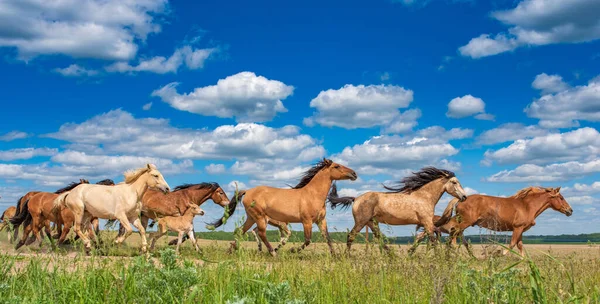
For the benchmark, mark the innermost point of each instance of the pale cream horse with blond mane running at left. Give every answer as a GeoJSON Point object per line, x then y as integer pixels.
{"type": "Point", "coordinates": [121, 202]}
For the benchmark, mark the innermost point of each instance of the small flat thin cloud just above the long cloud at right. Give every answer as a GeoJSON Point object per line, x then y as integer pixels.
{"type": "Point", "coordinates": [510, 132]}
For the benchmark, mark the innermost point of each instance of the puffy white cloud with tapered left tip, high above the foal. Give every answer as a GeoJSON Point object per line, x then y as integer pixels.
{"type": "Point", "coordinates": [245, 96]}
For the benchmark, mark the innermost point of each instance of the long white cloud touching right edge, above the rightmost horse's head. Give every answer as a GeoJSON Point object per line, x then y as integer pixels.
{"type": "Point", "coordinates": [580, 144]}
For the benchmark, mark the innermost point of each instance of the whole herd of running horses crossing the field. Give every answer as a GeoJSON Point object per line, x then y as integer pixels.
{"type": "Point", "coordinates": [145, 195]}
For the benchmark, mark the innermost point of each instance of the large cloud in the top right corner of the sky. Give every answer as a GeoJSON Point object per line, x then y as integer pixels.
{"type": "Point", "coordinates": [539, 22]}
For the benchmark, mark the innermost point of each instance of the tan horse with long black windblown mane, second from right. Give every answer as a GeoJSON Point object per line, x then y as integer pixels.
{"type": "Point", "coordinates": [413, 202]}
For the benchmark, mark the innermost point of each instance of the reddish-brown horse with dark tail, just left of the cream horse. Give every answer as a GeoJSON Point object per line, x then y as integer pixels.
{"type": "Point", "coordinates": [37, 212]}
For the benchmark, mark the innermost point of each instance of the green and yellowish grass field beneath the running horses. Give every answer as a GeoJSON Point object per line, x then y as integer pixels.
{"type": "Point", "coordinates": [552, 274]}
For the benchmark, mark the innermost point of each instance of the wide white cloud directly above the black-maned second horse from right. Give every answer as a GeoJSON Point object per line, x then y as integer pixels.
{"type": "Point", "coordinates": [393, 154]}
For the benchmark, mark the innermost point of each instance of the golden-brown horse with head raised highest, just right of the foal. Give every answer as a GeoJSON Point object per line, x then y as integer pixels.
{"type": "Point", "coordinates": [305, 203]}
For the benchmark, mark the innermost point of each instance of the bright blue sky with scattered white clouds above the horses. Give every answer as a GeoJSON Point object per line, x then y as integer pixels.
{"type": "Point", "coordinates": [504, 93]}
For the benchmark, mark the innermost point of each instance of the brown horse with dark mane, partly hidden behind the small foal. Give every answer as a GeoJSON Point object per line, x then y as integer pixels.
{"type": "Point", "coordinates": [156, 204]}
